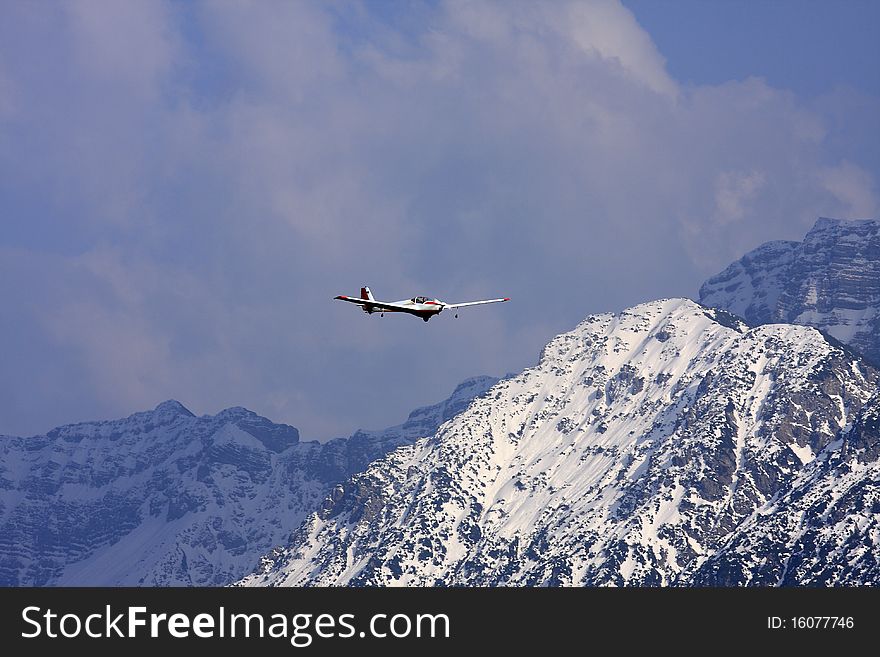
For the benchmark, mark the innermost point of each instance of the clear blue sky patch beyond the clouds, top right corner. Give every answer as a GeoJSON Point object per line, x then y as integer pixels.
{"type": "Point", "coordinates": [810, 47]}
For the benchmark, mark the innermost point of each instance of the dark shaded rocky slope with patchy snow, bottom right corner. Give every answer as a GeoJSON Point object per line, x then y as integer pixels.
{"type": "Point", "coordinates": [825, 527]}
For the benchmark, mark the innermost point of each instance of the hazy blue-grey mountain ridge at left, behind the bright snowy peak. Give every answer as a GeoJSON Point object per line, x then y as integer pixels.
{"type": "Point", "coordinates": [167, 498]}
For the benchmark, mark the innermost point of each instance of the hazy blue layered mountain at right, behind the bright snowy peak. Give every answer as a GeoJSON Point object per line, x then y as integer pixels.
{"type": "Point", "coordinates": [831, 281]}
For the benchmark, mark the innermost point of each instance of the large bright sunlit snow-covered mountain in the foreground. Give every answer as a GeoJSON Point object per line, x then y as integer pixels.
{"type": "Point", "coordinates": [667, 444]}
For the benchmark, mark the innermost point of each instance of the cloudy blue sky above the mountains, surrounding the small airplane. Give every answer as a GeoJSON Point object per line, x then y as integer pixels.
{"type": "Point", "coordinates": [185, 186]}
